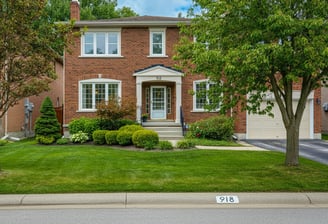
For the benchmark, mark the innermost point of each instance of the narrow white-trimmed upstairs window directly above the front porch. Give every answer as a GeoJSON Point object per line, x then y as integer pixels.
{"type": "Point", "coordinates": [157, 41]}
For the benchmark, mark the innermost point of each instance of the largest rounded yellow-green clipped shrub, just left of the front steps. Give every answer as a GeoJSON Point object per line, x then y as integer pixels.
{"type": "Point", "coordinates": [142, 137]}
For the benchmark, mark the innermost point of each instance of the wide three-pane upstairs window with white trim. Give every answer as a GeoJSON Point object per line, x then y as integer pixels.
{"type": "Point", "coordinates": [101, 43]}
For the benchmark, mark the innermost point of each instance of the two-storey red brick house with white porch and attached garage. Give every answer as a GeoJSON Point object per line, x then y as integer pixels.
{"type": "Point", "coordinates": [132, 57]}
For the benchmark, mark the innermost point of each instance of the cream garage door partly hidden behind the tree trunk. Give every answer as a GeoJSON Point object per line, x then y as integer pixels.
{"type": "Point", "coordinates": [265, 127]}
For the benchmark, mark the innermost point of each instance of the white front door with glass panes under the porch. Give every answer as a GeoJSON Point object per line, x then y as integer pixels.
{"type": "Point", "coordinates": [158, 102]}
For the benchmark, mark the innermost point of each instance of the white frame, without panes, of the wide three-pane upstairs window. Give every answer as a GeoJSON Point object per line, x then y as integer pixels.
{"type": "Point", "coordinates": [107, 32]}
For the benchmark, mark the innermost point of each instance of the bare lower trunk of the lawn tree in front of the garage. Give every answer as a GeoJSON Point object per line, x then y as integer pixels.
{"type": "Point", "coordinates": [292, 146]}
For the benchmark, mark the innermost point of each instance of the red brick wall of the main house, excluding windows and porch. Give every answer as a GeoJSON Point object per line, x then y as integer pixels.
{"type": "Point", "coordinates": [135, 49]}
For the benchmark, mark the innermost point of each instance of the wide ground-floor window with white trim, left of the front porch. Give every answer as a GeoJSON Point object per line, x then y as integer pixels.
{"type": "Point", "coordinates": [94, 91]}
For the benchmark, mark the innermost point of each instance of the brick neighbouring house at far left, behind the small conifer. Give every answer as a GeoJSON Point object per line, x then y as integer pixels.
{"type": "Point", "coordinates": [15, 124]}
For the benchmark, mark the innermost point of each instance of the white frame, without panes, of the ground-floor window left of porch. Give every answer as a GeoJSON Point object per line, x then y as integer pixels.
{"type": "Point", "coordinates": [93, 82]}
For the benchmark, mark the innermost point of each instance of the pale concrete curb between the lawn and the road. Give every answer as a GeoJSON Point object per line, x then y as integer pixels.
{"type": "Point", "coordinates": [166, 200]}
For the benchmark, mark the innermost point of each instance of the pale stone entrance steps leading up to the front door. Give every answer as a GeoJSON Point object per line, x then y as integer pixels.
{"type": "Point", "coordinates": [167, 130]}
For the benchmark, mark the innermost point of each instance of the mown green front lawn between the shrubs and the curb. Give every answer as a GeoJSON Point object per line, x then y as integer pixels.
{"type": "Point", "coordinates": [30, 168]}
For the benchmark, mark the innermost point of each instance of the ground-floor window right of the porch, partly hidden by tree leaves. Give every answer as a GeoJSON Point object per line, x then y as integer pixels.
{"type": "Point", "coordinates": [201, 98]}
